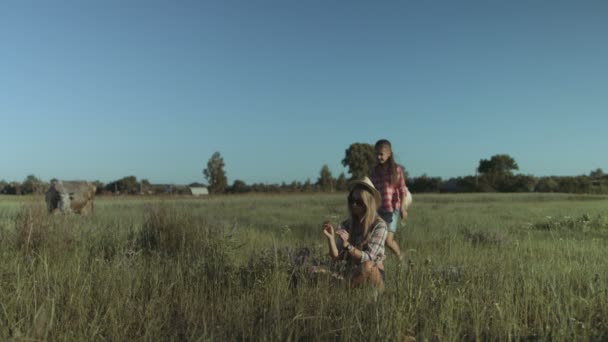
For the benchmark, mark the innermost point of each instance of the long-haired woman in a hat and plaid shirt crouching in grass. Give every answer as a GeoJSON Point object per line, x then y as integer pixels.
{"type": "Point", "coordinates": [360, 239]}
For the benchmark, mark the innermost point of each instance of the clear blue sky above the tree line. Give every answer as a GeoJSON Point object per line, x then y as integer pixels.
{"type": "Point", "coordinates": [99, 90]}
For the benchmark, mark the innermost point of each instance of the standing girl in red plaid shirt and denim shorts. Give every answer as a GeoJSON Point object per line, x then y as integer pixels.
{"type": "Point", "coordinates": [388, 178]}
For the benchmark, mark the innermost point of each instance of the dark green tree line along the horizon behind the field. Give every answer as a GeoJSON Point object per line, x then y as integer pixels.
{"type": "Point", "coordinates": [495, 174]}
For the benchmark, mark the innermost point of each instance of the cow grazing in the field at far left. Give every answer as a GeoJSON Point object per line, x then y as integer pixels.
{"type": "Point", "coordinates": [71, 196]}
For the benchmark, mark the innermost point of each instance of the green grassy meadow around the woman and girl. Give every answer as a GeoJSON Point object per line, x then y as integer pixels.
{"type": "Point", "coordinates": [479, 267]}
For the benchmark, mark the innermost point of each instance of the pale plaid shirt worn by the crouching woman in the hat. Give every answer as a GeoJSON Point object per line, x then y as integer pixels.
{"type": "Point", "coordinates": [372, 248]}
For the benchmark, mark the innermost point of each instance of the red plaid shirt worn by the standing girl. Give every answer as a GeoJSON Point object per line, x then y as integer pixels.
{"type": "Point", "coordinates": [392, 194]}
